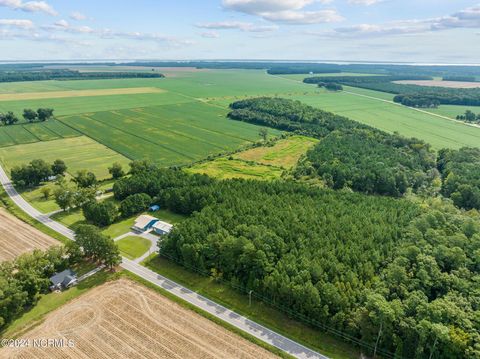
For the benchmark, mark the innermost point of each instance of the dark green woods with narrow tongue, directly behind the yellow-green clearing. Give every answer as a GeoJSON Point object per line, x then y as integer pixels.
{"type": "Point", "coordinates": [350, 154]}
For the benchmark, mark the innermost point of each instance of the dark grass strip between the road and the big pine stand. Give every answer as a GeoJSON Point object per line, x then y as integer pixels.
{"type": "Point", "coordinates": [258, 311]}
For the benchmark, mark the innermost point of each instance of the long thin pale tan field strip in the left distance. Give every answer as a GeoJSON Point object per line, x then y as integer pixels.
{"type": "Point", "coordinates": [78, 93]}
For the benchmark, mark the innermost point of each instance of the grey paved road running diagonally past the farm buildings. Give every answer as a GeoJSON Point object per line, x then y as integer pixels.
{"type": "Point", "coordinates": [258, 331]}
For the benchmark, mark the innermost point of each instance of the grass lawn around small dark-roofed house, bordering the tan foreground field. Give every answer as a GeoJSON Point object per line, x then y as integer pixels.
{"type": "Point", "coordinates": [51, 301]}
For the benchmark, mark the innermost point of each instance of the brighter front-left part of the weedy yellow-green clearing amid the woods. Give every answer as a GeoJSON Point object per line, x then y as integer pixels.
{"type": "Point", "coordinates": [226, 168]}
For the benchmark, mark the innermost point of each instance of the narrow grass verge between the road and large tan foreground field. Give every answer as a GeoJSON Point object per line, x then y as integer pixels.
{"type": "Point", "coordinates": [220, 322]}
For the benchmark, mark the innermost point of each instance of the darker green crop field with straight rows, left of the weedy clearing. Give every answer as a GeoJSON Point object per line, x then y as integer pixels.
{"type": "Point", "coordinates": [167, 135]}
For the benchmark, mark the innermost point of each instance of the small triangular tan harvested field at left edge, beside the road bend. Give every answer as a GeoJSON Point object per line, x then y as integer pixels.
{"type": "Point", "coordinates": [17, 237]}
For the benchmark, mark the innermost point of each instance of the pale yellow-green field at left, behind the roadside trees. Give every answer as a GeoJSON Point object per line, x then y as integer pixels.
{"type": "Point", "coordinates": [79, 153]}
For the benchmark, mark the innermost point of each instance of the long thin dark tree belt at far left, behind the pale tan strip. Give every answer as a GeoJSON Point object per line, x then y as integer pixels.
{"type": "Point", "coordinates": [42, 75]}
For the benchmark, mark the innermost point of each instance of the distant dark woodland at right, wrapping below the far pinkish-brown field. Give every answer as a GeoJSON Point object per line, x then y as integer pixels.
{"type": "Point", "coordinates": [409, 95]}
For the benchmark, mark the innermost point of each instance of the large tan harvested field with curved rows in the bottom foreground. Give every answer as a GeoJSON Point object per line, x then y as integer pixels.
{"type": "Point", "coordinates": [122, 319]}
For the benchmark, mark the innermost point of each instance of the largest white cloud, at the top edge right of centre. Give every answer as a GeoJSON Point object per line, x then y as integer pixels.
{"type": "Point", "coordinates": [284, 11]}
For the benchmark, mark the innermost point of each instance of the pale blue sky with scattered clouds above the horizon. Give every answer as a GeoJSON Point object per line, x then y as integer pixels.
{"type": "Point", "coordinates": [421, 31]}
